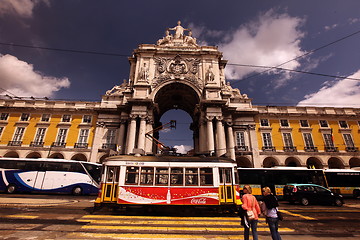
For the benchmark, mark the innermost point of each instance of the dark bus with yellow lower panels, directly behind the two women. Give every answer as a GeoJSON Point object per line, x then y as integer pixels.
{"type": "Point", "coordinates": [277, 177]}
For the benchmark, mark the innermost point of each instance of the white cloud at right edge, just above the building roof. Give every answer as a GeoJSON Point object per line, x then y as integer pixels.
{"type": "Point", "coordinates": [344, 93]}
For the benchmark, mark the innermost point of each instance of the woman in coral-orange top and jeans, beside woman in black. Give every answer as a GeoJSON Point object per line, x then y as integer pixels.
{"type": "Point", "coordinates": [250, 204]}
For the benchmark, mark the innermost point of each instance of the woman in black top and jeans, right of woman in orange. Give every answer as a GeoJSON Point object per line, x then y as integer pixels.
{"type": "Point", "coordinates": [270, 209]}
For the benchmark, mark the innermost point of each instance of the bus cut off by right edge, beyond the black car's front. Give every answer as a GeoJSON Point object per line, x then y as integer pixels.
{"type": "Point", "coordinates": [344, 181]}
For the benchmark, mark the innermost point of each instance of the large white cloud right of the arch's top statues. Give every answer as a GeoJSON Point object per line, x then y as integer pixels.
{"type": "Point", "coordinates": [271, 40]}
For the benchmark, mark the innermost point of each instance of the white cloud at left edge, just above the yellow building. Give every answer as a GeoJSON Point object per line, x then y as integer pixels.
{"type": "Point", "coordinates": [20, 78]}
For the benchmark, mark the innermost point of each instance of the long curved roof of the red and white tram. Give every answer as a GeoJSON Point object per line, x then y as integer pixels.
{"type": "Point", "coordinates": [169, 158]}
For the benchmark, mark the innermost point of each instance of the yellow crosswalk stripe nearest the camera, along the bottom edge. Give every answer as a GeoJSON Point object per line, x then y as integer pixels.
{"type": "Point", "coordinates": [149, 236]}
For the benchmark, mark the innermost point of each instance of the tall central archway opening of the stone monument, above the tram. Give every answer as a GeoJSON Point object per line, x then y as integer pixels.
{"type": "Point", "coordinates": [178, 101]}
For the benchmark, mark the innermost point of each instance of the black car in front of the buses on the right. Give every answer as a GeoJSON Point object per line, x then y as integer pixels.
{"type": "Point", "coordinates": [311, 193]}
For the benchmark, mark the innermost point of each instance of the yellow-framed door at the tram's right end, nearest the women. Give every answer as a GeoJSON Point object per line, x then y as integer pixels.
{"type": "Point", "coordinates": [226, 186]}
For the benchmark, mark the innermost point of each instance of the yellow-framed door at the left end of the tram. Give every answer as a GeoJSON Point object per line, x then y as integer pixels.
{"type": "Point", "coordinates": [110, 190]}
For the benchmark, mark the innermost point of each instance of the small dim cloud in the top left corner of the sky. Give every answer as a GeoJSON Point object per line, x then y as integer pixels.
{"type": "Point", "coordinates": [23, 8]}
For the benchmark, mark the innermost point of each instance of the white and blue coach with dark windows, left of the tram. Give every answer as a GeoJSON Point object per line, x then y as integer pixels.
{"type": "Point", "coordinates": [45, 175]}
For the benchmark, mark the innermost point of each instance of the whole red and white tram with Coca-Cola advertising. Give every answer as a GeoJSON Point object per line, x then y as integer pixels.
{"type": "Point", "coordinates": [179, 181]}
